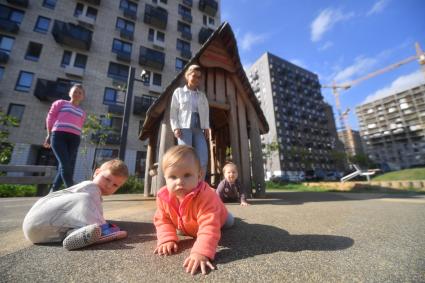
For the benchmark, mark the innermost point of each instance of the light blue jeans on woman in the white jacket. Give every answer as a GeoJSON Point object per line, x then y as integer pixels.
{"type": "Point", "coordinates": [195, 137]}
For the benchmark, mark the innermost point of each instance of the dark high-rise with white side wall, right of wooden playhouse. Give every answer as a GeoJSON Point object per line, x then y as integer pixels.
{"type": "Point", "coordinates": [291, 99]}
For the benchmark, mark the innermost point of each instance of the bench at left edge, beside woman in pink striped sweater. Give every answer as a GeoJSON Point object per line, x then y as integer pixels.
{"type": "Point", "coordinates": [44, 177]}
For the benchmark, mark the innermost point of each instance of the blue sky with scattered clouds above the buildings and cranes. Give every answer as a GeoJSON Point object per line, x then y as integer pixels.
{"type": "Point", "coordinates": [337, 40]}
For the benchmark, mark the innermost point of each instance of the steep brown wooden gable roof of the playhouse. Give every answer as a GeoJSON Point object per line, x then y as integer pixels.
{"type": "Point", "coordinates": [219, 46]}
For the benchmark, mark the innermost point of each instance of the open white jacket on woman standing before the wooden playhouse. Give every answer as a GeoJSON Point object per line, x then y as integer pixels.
{"type": "Point", "coordinates": [181, 109]}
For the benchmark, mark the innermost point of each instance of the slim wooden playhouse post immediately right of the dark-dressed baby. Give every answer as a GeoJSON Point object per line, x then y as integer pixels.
{"type": "Point", "coordinates": [245, 169]}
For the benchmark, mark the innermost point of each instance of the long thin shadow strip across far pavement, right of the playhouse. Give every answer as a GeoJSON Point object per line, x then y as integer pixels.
{"type": "Point", "coordinates": [291, 198]}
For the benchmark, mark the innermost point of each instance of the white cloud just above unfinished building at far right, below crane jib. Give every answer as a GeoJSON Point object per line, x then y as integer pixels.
{"type": "Point", "coordinates": [400, 84]}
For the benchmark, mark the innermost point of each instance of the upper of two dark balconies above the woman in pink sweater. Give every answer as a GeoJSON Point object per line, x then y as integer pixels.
{"type": "Point", "coordinates": [72, 35]}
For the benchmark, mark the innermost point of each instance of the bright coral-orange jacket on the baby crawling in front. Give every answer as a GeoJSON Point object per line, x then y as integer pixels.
{"type": "Point", "coordinates": [201, 214]}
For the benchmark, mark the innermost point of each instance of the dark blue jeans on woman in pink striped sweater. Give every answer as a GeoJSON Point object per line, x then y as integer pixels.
{"type": "Point", "coordinates": [65, 147]}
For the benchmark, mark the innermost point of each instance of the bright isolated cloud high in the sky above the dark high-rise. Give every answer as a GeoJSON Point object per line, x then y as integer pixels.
{"type": "Point", "coordinates": [325, 21]}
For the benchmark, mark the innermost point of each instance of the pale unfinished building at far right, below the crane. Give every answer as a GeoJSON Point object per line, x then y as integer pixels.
{"type": "Point", "coordinates": [393, 129]}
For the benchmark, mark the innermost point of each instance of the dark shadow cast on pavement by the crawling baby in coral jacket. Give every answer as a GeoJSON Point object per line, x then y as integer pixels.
{"type": "Point", "coordinates": [246, 240]}
